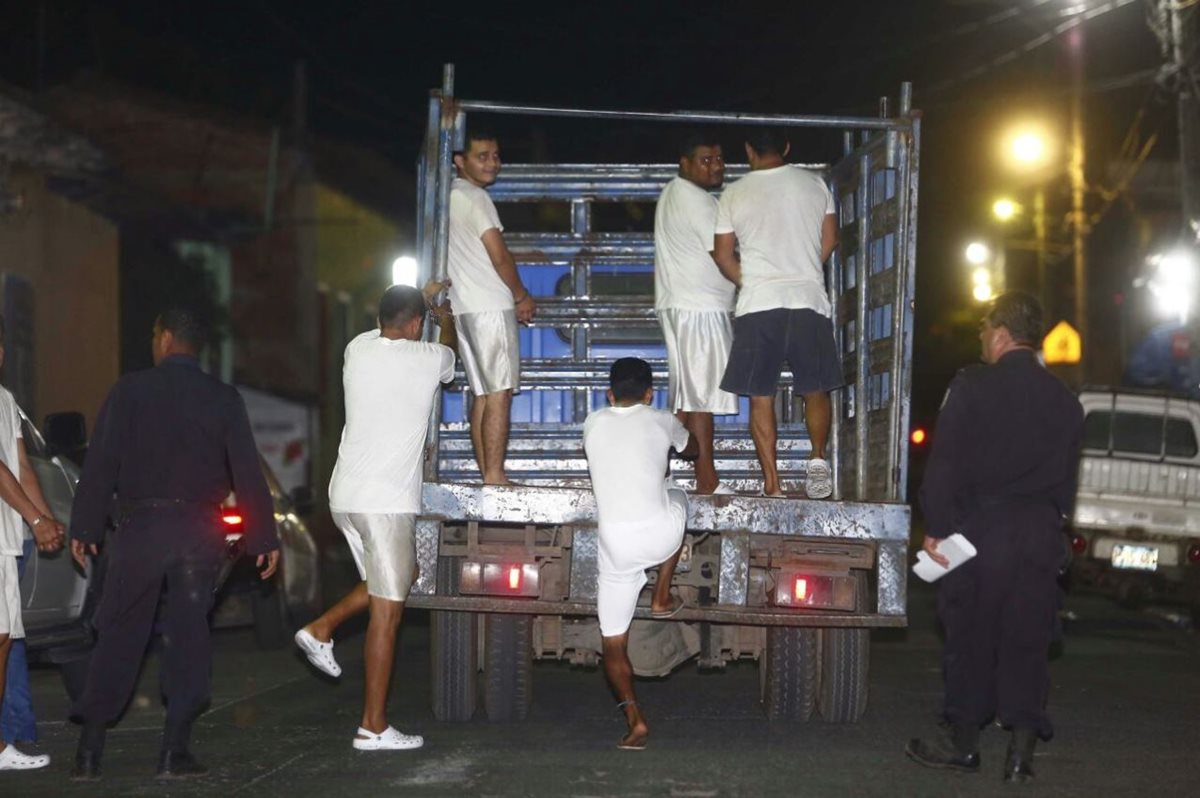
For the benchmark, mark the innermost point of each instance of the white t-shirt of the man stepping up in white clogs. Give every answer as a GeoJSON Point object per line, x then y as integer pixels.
{"type": "Point", "coordinates": [391, 387]}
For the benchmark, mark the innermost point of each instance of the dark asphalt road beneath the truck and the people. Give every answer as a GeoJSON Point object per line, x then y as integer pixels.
{"type": "Point", "coordinates": [1125, 701]}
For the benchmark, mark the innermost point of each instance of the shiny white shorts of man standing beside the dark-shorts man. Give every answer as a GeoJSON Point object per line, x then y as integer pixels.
{"type": "Point", "coordinates": [698, 351]}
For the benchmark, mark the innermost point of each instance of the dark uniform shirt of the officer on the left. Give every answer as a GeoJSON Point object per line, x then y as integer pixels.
{"type": "Point", "coordinates": [175, 433]}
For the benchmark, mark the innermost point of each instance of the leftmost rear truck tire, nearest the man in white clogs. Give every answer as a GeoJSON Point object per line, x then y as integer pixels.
{"type": "Point", "coordinates": [453, 650]}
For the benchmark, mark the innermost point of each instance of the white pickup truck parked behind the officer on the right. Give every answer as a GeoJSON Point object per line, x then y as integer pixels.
{"type": "Point", "coordinates": [1137, 524]}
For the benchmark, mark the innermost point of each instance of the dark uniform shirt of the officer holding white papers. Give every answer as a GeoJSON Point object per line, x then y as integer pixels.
{"type": "Point", "coordinates": [1007, 434]}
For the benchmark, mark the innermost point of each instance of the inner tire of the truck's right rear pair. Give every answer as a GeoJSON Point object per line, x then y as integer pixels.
{"type": "Point", "coordinates": [788, 674]}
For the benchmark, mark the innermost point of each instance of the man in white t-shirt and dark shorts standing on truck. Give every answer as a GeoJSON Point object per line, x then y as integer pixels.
{"type": "Point", "coordinates": [776, 227]}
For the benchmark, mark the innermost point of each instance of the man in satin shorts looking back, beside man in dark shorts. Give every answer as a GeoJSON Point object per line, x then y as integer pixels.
{"type": "Point", "coordinates": [694, 299]}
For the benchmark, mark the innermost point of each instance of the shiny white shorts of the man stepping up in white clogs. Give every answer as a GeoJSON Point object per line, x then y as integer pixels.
{"type": "Point", "coordinates": [385, 549]}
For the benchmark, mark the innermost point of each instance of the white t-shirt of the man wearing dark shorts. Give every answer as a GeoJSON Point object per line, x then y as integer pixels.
{"type": "Point", "coordinates": [777, 215]}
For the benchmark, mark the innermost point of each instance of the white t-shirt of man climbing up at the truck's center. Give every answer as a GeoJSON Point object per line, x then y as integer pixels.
{"type": "Point", "coordinates": [627, 449]}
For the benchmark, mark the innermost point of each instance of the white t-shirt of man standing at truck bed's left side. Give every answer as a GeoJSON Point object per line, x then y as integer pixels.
{"type": "Point", "coordinates": [475, 285]}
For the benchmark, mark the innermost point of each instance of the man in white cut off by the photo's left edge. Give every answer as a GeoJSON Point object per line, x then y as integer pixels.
{"type": "Point", "coordinates": [21, 503]}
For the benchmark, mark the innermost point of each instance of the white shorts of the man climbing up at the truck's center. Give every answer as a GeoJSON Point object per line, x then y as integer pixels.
{"type": "Point", "coordinates": [626, 553]}
